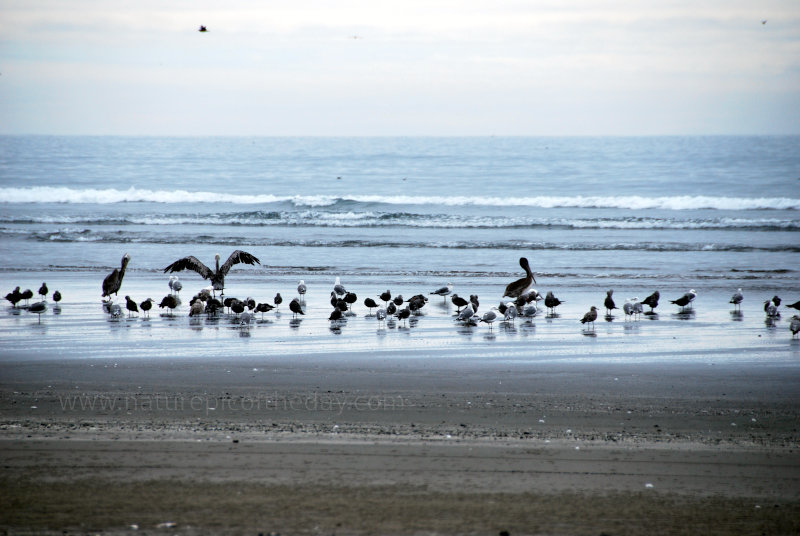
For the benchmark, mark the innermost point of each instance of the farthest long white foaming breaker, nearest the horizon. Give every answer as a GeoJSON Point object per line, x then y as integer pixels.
{"type": "Point", "coordinates": [50, 194]}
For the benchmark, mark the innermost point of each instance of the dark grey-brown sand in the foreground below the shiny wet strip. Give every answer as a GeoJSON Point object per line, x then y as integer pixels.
{"type": "Point", "coordinates": [353, 446]}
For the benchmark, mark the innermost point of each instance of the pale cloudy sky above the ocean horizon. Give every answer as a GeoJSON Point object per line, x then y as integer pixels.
{"type": "Point", "coordinates": [410, 68]}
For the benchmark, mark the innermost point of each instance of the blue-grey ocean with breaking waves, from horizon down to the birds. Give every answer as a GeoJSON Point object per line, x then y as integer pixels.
{"type": "Point", "coordinates": [631, 213]}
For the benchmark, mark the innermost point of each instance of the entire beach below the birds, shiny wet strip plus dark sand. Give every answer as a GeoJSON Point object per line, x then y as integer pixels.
{"type": "Point", "coordinates": [674, 425]}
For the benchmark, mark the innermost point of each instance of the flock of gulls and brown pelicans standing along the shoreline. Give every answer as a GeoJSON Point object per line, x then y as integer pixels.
{"type": "Point", "coordinates": [522, 299]}
